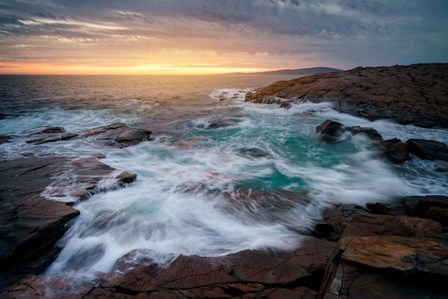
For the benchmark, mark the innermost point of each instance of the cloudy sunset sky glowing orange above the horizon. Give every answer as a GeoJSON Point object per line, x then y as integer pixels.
{"type": "Point", "coordinates": [217, 36]}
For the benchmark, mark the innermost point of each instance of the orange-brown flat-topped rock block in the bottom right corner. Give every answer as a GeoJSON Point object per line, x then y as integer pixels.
{"type": "Point", "coordinates": [388, 267]}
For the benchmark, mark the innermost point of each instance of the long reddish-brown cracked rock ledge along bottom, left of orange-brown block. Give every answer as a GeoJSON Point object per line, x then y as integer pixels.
{"type": "Point", "coordinates": [246, 274]}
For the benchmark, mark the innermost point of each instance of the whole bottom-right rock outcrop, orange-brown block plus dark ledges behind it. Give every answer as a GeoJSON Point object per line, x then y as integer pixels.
{"type": "Point", "coordinates": [386, 250]}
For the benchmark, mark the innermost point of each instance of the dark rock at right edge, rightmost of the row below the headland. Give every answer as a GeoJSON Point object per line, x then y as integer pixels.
{"type": "Point", "coordinates": [428, 149]}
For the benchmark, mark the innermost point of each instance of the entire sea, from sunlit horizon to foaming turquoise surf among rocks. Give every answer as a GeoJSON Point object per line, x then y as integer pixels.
{"type": "Point", "coordinates": [207, 156]}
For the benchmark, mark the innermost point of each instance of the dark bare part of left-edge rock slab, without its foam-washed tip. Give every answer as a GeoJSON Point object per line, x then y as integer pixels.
{"type": "Point", "coordinates": [29, 224]}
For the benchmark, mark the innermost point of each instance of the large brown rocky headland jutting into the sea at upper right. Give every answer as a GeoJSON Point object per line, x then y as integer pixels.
{"type": "Point", "coordinates": [414, 94]}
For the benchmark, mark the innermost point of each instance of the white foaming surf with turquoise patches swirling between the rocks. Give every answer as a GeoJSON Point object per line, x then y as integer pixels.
{"type": "Point", "coordinates": [179, 204]}
